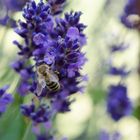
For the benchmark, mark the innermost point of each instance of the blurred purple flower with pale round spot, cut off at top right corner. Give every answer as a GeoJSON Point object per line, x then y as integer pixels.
{"type": "Point", "coordinates": [131, 16]}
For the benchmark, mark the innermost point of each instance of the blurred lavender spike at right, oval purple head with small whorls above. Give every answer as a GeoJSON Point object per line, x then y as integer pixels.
{"type": "Point", "coordinates": [118, 104]}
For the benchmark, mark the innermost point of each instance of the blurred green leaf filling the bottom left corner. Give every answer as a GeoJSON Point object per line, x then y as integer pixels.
{"type": "Point", "coordinates": [12, 124]}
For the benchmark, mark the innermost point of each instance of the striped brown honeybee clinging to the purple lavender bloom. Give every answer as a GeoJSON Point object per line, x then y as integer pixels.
{"type": "Point", "coordinates": [47, 78]}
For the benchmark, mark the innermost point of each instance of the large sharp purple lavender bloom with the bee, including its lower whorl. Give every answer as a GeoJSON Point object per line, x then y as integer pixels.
{"type": "Point", "coordinates": [57, 43]}
